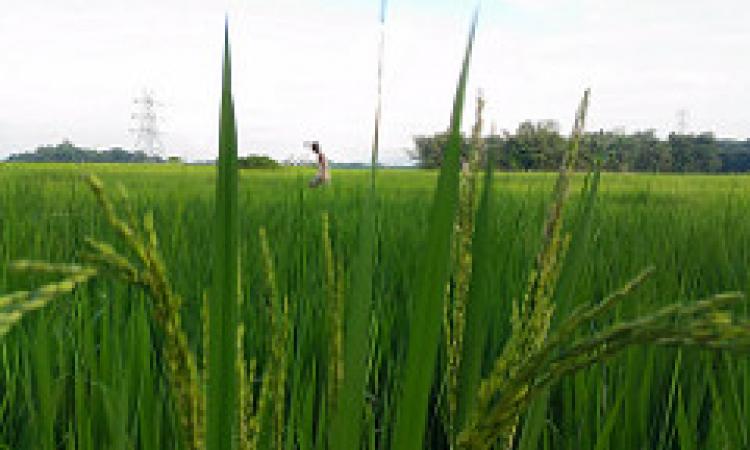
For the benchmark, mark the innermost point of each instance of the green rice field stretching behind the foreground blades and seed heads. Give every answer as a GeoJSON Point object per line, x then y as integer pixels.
{"type": "Point", "coordinates": [83, 372]}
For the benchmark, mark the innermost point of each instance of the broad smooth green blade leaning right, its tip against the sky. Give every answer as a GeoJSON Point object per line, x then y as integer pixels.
{"type": "Point", "coordinates": [427, 308]}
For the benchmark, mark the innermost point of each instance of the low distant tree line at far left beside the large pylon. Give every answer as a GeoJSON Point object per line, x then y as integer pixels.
{"type": "Point", "coordinates": [68, 152]}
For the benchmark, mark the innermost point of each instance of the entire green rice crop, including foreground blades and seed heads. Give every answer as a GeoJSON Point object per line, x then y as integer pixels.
{"type": "Point", "coordinates": [338, 333]}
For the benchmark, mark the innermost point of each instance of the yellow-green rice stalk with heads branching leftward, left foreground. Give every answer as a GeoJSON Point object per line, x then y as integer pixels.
{"type": "Point", "coordinates": [150, 272]}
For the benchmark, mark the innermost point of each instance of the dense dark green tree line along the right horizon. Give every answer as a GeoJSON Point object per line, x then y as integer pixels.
{"type": "Point", "coordinates": [539, 146]}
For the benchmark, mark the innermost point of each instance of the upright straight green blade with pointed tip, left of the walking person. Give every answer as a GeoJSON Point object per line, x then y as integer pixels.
{"type": "Point", "coordinates": [221, 399]}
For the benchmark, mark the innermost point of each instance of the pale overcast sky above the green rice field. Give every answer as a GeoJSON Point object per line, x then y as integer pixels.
{"type": "Point", "coordinates": [306, 69]}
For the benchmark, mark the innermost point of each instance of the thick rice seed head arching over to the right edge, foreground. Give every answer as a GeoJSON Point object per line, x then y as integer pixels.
{"type": "Point", "coordinates": [705, 324]}
